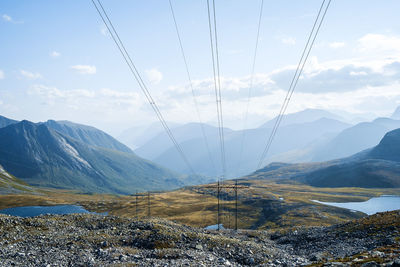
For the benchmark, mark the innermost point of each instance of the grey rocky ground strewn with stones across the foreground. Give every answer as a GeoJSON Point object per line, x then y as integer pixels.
{"type": "Point", "coordinates": [94, 240]}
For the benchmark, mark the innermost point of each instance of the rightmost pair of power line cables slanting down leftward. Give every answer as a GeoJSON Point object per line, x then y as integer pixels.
{"type": "Point", "coordinates": [295, 79]}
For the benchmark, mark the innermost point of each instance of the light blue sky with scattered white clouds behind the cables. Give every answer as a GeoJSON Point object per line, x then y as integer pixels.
{"type": "Point", "coordinates": [57, 60]}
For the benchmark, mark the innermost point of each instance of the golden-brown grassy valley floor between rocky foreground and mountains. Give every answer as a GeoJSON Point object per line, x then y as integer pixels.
{"type": "Point", "coordinates": [263, 205]}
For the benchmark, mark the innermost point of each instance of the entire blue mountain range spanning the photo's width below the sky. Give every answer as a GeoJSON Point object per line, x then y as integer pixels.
{"type": "Point", "coordinates": [63, 154]}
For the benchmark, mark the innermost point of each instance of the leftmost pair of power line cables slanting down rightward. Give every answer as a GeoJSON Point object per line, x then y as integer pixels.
{"type": "Point", "coordinates": [117, 40]}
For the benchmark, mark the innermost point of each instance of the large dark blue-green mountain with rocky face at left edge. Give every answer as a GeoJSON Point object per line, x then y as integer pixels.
{"type": "Point", "coordinates": [39, 155]}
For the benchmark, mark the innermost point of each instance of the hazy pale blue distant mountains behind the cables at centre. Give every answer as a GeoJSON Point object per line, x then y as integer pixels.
{"type": "Point", "coordinates": [160, 149]}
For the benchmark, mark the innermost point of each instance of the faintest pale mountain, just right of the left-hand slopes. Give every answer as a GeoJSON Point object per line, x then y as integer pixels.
{"type": "Point", "coordinates": [135, 137]}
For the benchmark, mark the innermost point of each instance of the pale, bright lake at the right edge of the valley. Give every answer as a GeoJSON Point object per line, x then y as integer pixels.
{"type": "Point", "coordinates": [371, 206]}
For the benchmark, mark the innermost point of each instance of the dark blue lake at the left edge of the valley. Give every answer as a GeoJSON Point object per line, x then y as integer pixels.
{"type": "Point", "coordinates": [32, 211]}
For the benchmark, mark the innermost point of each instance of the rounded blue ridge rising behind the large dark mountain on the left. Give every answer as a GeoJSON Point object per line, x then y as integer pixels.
{"type": "Point", "coordinates": [87, 134]}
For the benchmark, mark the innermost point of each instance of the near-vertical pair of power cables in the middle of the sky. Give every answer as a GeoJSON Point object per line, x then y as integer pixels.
{"type": "Point", "coordinates": [212, 24]}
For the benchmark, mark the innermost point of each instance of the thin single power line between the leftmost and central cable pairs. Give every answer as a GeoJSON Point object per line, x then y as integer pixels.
{"type": "Point", "coordinates": [191, 86]}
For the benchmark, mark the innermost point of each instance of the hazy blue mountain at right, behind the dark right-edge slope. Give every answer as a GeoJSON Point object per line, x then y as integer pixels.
{"type": "Point", "coordinates": [354, 139]}
